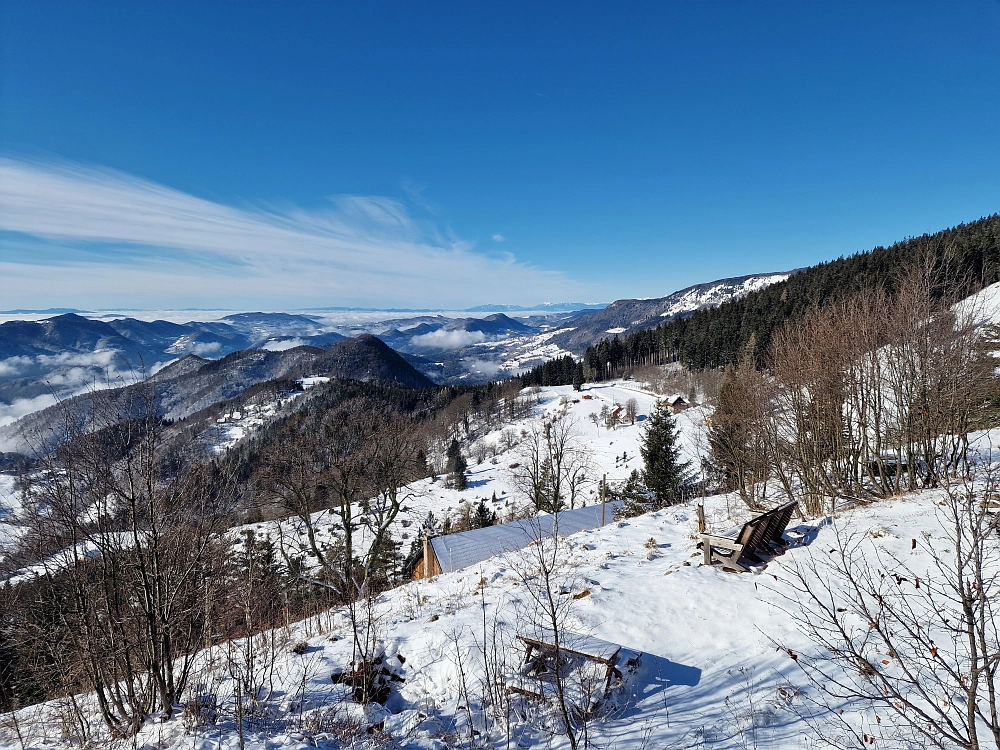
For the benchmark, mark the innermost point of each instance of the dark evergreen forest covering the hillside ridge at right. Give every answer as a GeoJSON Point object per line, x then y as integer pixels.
{"type": "Point", "coordinates": [965, 258]}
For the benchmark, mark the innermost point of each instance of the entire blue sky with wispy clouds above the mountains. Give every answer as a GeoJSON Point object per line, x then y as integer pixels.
{"type": "Point", "coordinates": [278, 155]}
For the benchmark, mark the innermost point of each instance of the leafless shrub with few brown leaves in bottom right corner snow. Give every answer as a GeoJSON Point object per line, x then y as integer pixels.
{"type": "Point", "coordinates": [915, 649]}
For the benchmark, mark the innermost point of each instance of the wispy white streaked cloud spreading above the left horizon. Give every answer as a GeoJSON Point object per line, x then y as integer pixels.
{"type": "Point", "coordinates": [97, 238]}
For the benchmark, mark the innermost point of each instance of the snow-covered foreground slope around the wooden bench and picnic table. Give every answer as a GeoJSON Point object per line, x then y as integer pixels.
{"type": "Point", "coordinates": [711, 668]}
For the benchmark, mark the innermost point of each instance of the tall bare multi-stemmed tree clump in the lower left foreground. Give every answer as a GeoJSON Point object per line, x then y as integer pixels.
{"type": "Point", "coordinates": [136, 528]}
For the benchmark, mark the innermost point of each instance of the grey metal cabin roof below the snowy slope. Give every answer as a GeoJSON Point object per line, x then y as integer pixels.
{"type": "Point", "coordinates": [456, 551]}
